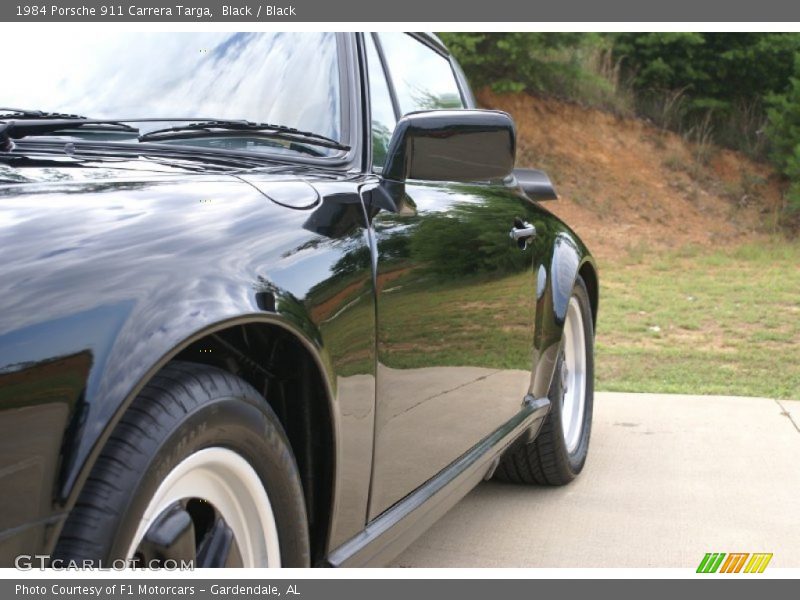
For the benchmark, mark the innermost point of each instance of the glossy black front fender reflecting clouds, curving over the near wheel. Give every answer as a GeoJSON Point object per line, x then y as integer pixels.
{"type": "Point", "coordinates": [150, 263]}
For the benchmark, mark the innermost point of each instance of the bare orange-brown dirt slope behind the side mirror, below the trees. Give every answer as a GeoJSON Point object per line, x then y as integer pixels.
{"type": "Point", "coordinates": [627, 186]}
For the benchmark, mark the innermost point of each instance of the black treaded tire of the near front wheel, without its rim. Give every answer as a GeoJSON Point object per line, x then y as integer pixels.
{"type": "Point", "coordinates": [185, 408]}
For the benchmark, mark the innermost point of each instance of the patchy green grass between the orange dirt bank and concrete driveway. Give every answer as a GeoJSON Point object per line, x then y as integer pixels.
{"type": "Point", "coordinates": [725, 322]}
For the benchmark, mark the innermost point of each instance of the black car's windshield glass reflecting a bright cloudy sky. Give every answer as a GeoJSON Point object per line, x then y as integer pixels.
{"type": "Point", "coordinates": [289, 79]}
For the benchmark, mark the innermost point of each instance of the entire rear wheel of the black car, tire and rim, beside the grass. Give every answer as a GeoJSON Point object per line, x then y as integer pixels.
{"type": "Point", "coordinates": [559, 452]}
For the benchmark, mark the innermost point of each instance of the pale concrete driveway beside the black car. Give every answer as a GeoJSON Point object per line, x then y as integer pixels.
{"type": "Point", "coordinates": [668, 479]}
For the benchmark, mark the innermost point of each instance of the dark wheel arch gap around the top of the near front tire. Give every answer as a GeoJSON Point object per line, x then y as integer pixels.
{"type": "Point", "coordinates": [235, 345]}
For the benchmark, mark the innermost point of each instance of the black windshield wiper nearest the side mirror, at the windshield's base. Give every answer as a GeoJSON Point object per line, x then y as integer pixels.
{"type": "Point", "coordinates": [224, 128]}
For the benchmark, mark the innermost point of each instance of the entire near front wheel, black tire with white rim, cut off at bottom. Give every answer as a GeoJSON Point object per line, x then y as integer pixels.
{"type": "Point", "coordinates": [198, 469]}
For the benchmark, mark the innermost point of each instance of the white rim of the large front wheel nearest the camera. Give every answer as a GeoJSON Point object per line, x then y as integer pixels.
{"type": "Point", "coordinates": [226, 480]}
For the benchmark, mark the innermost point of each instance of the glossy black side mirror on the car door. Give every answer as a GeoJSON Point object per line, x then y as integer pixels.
{"type": "Point", "coordinates": [451, 145]}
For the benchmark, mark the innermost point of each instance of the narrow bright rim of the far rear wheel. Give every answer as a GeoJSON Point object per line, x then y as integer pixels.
{"type": "Point", "coordinates": [573, 376]}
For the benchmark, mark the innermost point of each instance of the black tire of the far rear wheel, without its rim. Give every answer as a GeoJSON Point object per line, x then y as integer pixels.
{"type": "Point", "coordinates": [546, 460]}
